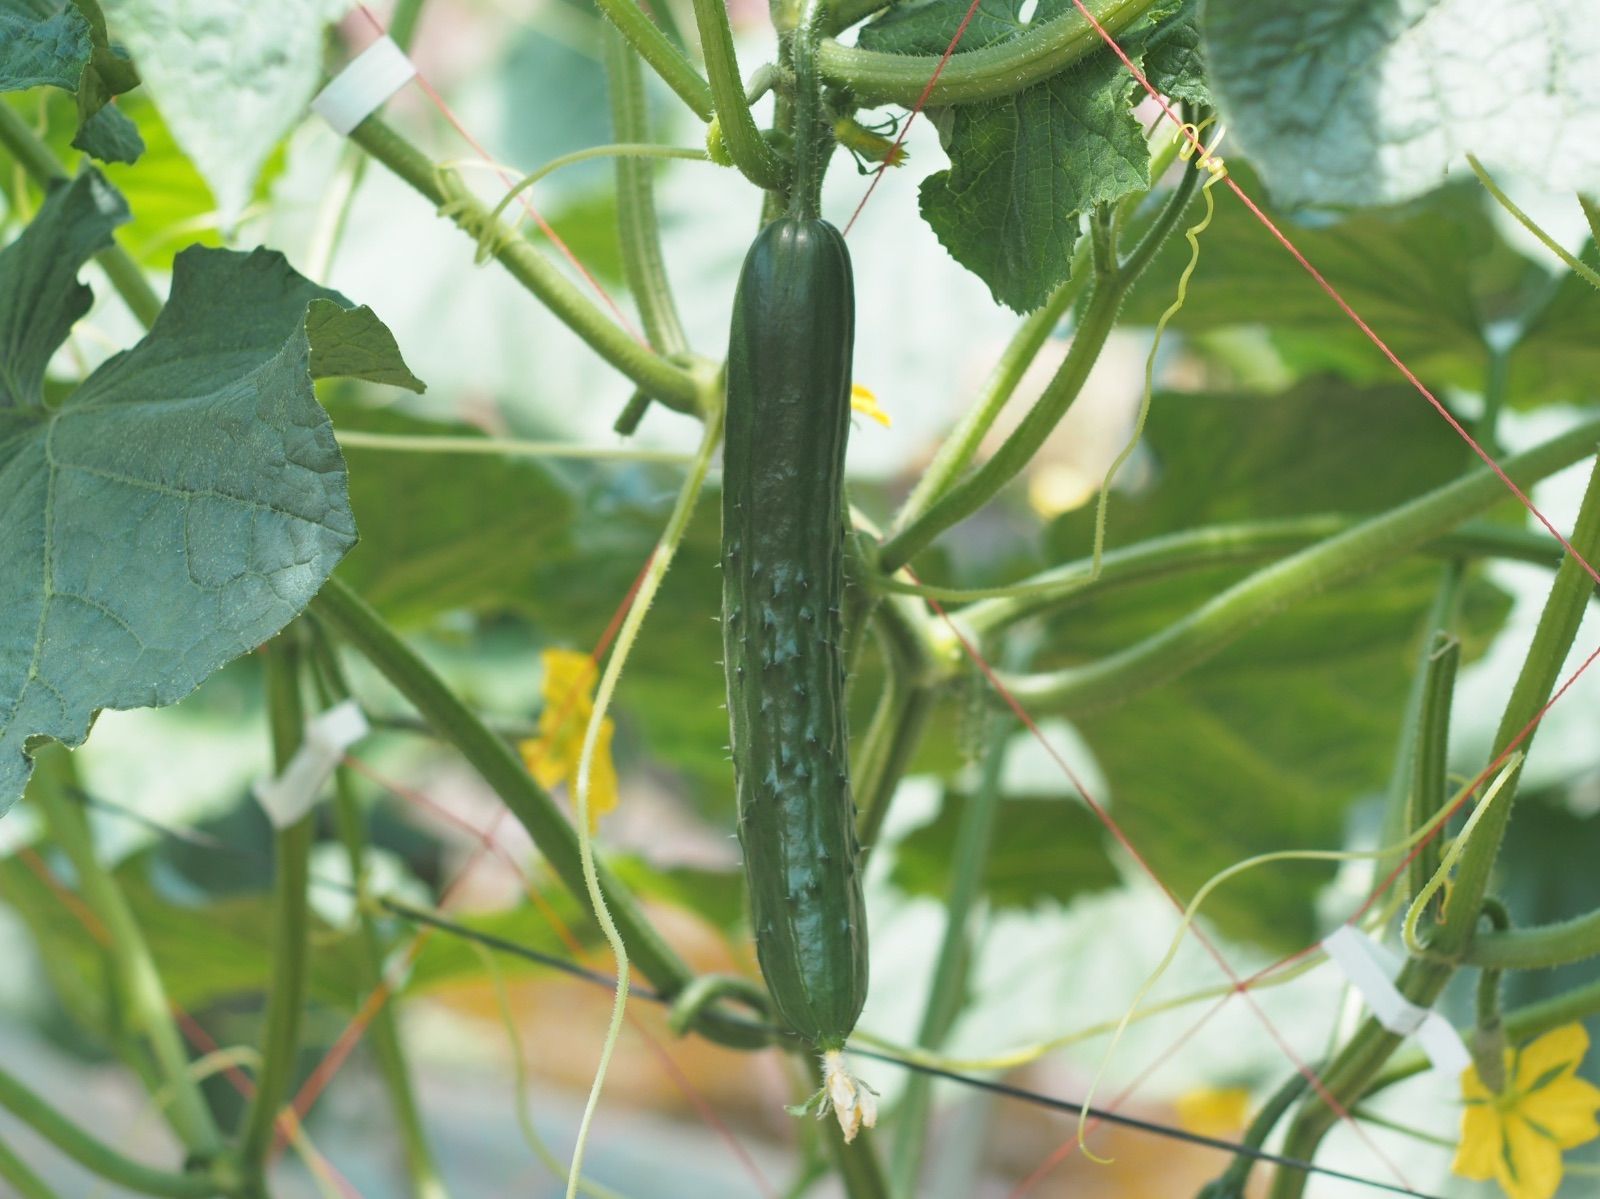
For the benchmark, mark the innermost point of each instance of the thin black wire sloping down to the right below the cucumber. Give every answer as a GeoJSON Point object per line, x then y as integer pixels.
{"type": "Point", "coordinates": [601, 979]}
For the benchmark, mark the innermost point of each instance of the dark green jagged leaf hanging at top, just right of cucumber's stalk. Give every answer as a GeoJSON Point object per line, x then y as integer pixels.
{"type": "Point", "coordinates": [1025, 167]}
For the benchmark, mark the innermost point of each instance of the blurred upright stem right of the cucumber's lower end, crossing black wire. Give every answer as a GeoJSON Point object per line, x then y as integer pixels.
{"type": "Point", "coordinates": [953, 966]}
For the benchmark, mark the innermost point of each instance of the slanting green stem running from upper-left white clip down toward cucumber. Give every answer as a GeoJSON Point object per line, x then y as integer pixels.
{"type": "Point", "coordinates": [673, 385]}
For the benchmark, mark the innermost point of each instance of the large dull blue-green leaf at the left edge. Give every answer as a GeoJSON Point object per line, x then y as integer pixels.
{"type": "Point", "coordinates": [178, 508]}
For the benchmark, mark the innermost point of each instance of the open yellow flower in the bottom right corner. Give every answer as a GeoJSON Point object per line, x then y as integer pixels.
{"type": "Point", "coordinates": [1518, 1137]}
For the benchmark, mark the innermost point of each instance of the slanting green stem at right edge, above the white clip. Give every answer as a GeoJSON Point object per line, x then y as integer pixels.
{"type": "Point", "coordinates": [1542, 670]}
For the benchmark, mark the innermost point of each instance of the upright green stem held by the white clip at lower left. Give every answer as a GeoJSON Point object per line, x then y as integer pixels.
{"type": "Point", "coordinates": [290, 921]}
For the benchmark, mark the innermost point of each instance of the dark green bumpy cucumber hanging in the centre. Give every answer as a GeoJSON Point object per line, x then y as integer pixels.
{"type": "Point", "coordinates": [783, 531]}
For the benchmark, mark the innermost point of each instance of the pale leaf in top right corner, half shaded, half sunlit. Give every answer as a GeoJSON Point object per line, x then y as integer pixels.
{"type": "Point", "coordinates": [1353, 103]}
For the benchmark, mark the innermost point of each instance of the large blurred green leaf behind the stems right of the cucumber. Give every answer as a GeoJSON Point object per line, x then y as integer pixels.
{"type": "Point", "coordinates": [1270, 744]}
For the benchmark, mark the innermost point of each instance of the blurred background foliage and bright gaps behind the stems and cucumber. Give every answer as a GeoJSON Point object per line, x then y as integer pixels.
{"type": "Point", "coordinates": [1271, 404]}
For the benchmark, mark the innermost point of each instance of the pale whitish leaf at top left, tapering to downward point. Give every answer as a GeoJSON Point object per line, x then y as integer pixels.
{"type": "Point", "coordinates": [231, 81]}
